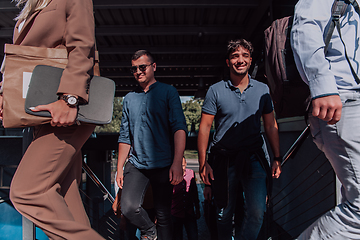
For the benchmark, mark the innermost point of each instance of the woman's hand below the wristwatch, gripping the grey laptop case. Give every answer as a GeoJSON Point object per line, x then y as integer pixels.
{"type": "Point", "coordinates": [62, 115]}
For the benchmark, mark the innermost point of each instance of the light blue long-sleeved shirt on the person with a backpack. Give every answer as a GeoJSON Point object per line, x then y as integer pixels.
{"type": "Point", "coordinates": [326, 75]}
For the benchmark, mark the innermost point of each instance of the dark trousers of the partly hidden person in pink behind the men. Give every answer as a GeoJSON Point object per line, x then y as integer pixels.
{"type": "Point", "coordinates": [190, 225]}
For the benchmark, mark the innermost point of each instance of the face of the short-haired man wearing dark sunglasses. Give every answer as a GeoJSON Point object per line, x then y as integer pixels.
{"type": "Point", "coordinates": [144, 78]}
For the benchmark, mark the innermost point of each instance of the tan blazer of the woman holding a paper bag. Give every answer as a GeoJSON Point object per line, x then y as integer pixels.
{"type": "Point", "coordinates": [62, 23]}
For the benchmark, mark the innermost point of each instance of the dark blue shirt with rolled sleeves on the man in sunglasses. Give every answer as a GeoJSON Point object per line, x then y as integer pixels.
{"type": "Point", "coordinates": [148, 124]}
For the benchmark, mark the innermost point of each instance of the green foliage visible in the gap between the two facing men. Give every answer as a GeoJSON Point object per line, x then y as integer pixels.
{"type": "Point", "coordinates": [192, 112]}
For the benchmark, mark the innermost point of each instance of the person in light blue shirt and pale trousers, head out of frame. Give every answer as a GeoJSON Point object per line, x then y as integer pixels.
{"type": "Point", "coordinates": [335, 113]}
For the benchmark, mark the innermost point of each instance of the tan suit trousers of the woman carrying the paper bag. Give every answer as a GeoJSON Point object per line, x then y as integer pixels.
{"type": "Point", "coordinates": [45, 186]}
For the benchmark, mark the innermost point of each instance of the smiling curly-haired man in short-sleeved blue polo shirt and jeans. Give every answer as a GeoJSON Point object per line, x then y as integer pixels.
{"type": "Point", "coordinates": [238, 163]}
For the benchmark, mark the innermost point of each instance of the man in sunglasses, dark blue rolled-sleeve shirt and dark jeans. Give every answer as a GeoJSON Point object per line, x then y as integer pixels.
{"type": "Point", "coordinates": [153, 134]}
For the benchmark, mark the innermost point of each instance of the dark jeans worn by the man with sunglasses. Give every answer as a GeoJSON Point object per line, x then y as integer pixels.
{"type": "Point", "coordinates": [136, 182]}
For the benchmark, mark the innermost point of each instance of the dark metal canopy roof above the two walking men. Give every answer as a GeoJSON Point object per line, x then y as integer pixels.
{"type": "Point", "coordinates": [187, 37]}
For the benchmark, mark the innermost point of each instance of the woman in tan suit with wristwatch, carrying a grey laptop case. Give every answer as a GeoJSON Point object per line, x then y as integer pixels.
{"type": "Point", "coordinates": [45, 186]}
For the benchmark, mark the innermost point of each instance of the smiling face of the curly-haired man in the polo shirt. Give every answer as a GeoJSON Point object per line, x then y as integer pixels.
{"type": "Point", "coordinates": [239, 61]}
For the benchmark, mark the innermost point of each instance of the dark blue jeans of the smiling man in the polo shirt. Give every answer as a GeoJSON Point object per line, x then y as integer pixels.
{"type": "Point", "coordinates": [251, 186]}
